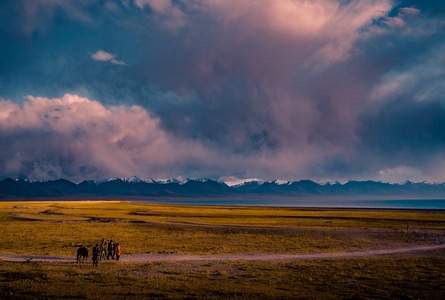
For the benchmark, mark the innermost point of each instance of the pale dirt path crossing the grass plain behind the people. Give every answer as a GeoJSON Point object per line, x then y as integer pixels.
{"type": "Point", "coordinates": [153, 257]}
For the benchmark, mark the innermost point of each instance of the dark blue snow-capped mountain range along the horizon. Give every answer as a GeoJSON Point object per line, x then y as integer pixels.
{"type": "Point", "coordinates": [135, 188]}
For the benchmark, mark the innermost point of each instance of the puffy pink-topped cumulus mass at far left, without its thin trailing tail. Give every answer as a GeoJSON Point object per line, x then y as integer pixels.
{"type": "Point", "coordinates": [78, 138]}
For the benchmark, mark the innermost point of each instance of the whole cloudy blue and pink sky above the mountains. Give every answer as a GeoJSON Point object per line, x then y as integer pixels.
{"type": "Point", "coordinates": [325, 90]}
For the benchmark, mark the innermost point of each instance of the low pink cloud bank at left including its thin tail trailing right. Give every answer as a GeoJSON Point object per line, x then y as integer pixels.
{"type": "Point", "coordinates": [77, 138]}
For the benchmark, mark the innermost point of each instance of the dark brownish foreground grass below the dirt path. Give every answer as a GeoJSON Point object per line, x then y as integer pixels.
{"type": "Point", "coordinates": [376, 278]}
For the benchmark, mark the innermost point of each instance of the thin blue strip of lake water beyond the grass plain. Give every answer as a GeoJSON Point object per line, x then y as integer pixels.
{"type": "Point", "coordinates": [435, 204]}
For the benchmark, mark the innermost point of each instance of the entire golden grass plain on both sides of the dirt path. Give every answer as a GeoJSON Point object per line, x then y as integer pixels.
{"type": "Point", "coordinates": [58, 228]}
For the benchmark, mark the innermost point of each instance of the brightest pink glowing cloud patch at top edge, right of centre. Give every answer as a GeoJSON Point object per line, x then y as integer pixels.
{"type": "Point", "coordinates": [322, 27]}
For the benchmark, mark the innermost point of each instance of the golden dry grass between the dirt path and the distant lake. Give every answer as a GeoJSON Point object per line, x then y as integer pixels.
{"type": "Point", "coordinates": [57, 228]}
